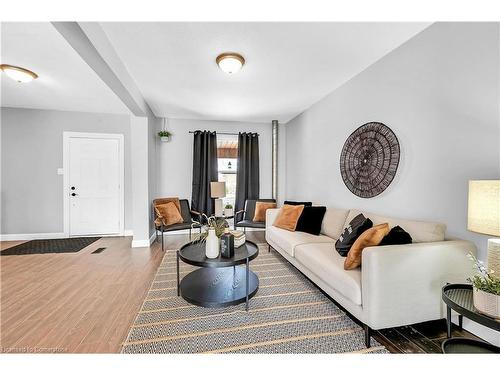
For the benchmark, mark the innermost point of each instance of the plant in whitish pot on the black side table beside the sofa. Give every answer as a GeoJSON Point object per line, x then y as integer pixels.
{"type": "Point", "coordinates": [485, 289]}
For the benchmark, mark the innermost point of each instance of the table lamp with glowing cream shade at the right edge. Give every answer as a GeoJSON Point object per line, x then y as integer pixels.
{"type": "Point", "coordinates": [484, 216]}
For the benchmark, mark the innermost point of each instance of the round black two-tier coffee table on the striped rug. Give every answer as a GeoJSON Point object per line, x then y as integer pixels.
{"type": "Point", "coordinates": [219, 282]}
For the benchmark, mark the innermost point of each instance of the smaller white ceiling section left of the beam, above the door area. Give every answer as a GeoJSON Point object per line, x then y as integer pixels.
{"type": "Point", "coordinates": [65, 81]}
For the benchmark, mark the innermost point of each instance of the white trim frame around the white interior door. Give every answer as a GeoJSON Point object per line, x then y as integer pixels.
{"type": "Point", "coordinates": [121, 159]}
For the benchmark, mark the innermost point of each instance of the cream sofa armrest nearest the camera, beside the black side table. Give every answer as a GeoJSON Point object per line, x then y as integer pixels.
{"type": "Point", "coordinates": [401, 284]}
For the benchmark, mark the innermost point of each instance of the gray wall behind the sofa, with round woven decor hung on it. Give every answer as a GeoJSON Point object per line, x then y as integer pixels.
{"type": "Point", "coordinates": [439, 92]}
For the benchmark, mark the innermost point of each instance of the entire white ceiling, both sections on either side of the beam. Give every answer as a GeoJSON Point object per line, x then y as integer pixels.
{"type": "Point", "coordinates": [289, 66]}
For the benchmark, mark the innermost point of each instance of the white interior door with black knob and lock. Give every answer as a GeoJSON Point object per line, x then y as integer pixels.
{"type": "Point", "coordinates": [94, 186]}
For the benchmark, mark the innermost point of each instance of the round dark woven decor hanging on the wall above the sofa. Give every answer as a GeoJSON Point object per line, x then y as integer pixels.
{"type": "Point", "coordinates": [369, 159]}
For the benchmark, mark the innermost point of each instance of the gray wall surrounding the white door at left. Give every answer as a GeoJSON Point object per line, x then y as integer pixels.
{"type": "Point", "coordinates": [32, 150]}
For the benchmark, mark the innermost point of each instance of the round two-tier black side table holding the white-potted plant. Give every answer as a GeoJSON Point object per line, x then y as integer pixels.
{"type": "Point", "coordinates": [458, 297]}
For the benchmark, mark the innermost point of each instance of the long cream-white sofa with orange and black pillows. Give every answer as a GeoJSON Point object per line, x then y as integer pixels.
{"type": "Point", "coordinates": [396, 285]}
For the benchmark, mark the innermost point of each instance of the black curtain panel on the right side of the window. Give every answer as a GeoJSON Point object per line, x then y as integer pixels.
{"type": "Point", "coordinates": [247, 178]}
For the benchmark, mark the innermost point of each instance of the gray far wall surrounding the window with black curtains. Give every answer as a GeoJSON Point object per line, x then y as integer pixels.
{"type": "Point", "coordinates": [176, 156]}
